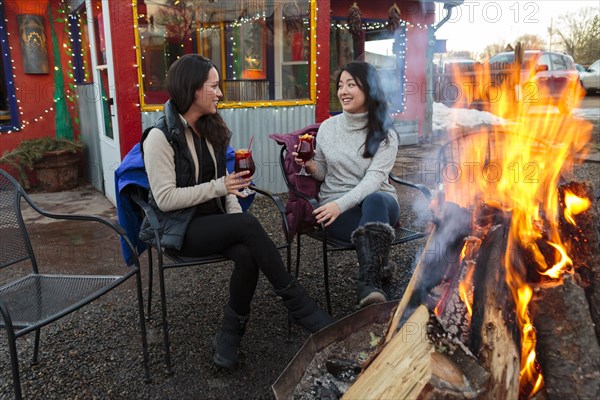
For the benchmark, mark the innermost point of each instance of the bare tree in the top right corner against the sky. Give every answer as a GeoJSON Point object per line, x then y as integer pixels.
{"type": "Point", "coordinates": [579, 34]}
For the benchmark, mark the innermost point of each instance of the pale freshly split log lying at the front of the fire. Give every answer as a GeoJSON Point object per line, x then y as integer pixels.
{"type": "Point", "coordinates": [421, 361]}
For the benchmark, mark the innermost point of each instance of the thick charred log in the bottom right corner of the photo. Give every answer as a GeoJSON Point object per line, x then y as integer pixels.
{"type": "Point", "coordinates": [567, 348]}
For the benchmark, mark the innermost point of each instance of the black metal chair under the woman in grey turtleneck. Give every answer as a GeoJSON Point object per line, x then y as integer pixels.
{"type": "Point", "coordinates": [319, 233]}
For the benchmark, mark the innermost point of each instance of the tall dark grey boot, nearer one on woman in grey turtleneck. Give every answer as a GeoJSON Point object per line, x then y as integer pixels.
{"type": "Point", "coordinates": [373, 242]}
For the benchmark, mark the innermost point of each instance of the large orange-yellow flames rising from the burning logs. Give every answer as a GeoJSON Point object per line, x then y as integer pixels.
{"type": "Point", "coordinates": [517, 167]}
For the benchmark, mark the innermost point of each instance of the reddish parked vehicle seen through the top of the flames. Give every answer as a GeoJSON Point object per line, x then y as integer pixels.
{"type": "Point", "coordinates": [547, 77]}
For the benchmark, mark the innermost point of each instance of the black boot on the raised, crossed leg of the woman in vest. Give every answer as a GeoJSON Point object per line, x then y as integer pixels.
{"type": "Point", "coordinates": [303, 308]}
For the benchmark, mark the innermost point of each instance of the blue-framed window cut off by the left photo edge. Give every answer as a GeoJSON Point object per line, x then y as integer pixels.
{"type": "Point", "coordinates": [8, 106]}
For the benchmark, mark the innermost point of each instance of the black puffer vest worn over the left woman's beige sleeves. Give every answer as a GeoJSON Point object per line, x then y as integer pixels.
{"type": "Point", "coordinates": [174, 224]}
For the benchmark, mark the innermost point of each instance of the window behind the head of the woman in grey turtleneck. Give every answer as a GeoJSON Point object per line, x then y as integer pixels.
{"type": "Point", "coordinates": [383, 49]}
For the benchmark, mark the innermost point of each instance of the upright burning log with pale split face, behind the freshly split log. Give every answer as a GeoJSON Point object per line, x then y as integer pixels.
{"type": "Point", "coordinates": [494, 335]}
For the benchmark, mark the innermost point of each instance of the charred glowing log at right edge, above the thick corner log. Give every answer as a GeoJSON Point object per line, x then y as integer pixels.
{"type": "Point", "coordinates": [580, 232]}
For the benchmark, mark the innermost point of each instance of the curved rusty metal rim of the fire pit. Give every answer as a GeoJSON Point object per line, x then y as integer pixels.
{"type": "Point", "coordinates": [284, 386]}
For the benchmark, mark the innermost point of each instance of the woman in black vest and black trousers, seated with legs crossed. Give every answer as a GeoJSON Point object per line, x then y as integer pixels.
{"type": "Point", "coordinates": [195, 200]}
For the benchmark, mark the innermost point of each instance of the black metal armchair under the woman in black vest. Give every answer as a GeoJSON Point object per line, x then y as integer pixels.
{"type": "Point", "coordinates": [166, 260]}
